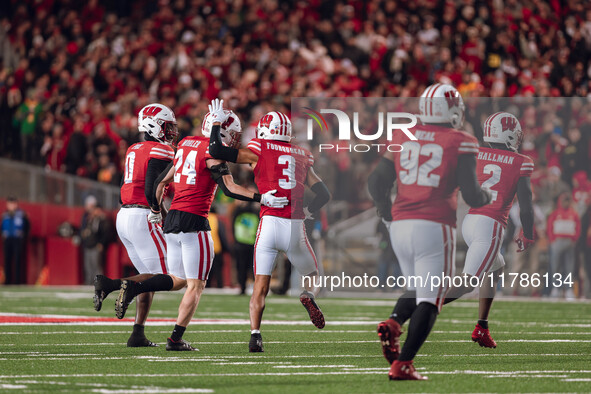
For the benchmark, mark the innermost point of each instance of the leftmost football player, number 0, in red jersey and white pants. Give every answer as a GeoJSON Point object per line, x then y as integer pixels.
{"type": "Point", "coordinates": [142, 239]}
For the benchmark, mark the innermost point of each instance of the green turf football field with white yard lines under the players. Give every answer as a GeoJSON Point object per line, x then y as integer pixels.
{"type": "Point", "coordinates": [543, 347]}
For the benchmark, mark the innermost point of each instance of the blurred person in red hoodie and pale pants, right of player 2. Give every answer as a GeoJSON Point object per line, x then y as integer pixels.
{"type": "Point", "coordinates": [564, 228]}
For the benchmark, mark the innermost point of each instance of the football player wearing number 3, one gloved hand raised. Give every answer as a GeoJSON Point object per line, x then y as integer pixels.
{"type": "Point", "coordinates": [279, 165]}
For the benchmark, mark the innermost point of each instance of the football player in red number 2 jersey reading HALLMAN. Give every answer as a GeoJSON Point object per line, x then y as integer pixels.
{"type": "Point", "coordinates": [506, 173]}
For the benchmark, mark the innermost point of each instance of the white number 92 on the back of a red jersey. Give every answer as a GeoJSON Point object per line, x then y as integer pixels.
{"type": "Point", "coordinates": [411, 172]}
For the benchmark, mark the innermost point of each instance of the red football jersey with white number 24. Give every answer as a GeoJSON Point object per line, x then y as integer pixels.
{"type": "Point", "coordinates": [194, 188]}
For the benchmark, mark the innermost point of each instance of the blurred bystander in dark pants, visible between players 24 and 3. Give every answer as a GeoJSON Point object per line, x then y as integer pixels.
{"type": "Point", "coordinates": [245, 222]}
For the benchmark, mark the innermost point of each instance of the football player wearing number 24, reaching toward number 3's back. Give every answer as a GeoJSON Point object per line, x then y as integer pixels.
{"type": "Point", "coordinates": [186, 228]}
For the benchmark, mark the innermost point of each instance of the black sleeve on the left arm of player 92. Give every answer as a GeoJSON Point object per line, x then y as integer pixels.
{"type": "Point", "coordinates": [379, 184]}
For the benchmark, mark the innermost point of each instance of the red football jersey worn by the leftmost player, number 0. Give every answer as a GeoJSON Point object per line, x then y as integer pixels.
{"type": "Point", "coordinates": [136, 166]}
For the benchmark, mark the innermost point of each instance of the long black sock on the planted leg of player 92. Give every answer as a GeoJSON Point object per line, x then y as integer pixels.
{"type": "Point", "coordinates": [420, 326]}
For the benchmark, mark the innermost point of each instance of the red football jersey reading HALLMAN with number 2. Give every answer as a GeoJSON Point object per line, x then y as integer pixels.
{"type": "Point", "coordinates": [499, 170]}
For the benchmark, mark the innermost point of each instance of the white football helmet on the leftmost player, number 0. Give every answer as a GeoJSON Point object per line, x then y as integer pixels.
{"type": "Point", "coordinates": [159, 122]}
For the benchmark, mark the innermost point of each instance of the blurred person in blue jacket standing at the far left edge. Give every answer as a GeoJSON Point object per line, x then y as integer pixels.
{"type": "Point", "coordinates": [15, 229]}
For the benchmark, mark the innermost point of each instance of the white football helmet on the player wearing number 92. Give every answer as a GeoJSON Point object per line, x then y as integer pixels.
{"type": "Point", "coordinates": [442, 103]}
